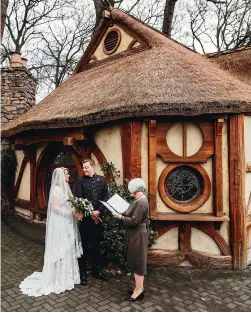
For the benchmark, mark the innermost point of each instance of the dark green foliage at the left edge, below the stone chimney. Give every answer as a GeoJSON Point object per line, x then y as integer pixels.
{"type": "Point", "coordinates": [8, 168]}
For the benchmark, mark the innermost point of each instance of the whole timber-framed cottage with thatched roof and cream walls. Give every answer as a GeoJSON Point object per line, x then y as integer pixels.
{"type": "Point", "coordinates": [160, 111]}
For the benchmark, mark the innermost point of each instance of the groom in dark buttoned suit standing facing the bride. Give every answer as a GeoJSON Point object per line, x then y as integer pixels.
{"type": "Point", "coordinates": [94, 188]}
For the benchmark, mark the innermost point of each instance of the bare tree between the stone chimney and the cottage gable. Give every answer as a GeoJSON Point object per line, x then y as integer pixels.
{"type": "Point", "coordinates": [61, 47]}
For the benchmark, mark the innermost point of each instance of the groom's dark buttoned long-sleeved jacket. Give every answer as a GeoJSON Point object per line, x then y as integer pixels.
{"type": "Point", "coordinates": [93, 189]}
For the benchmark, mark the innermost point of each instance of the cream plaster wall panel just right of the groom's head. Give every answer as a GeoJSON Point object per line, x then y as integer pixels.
{"type": "Point", "coordinates": [109, 142]}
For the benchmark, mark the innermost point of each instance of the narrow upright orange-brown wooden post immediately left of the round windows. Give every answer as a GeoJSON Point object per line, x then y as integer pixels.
{"type": "Point", "coordinates": [152, 179]}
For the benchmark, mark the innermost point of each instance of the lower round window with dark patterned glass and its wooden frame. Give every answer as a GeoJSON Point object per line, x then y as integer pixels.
{"type": "Point", "coordinates": [184, 187]}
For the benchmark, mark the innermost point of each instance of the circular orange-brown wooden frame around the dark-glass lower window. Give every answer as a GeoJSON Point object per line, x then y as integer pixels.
{"type": "Point", "coordinates": [189, 205]}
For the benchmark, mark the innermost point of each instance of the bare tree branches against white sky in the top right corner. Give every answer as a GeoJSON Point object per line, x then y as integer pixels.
{"type": "Point", "coordinates": [224, 25]}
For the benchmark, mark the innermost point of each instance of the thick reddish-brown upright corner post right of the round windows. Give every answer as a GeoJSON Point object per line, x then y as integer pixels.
{"type": "Point", "coordinates": [237, 191]}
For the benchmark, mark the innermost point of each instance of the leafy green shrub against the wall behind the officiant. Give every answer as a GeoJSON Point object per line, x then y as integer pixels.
{"type": "Point", "coordinates": [112, 246]}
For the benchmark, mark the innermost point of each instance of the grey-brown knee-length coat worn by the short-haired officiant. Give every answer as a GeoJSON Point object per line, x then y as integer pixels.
{"type": "Point", "coordinates": [136, 239]}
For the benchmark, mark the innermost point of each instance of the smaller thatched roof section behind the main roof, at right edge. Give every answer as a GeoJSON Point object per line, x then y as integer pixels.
{"type": "Point", "coordinates": [237, 62]}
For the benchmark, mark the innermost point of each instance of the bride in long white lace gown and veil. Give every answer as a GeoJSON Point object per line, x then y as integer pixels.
{"type": "Point", "coordinates": [62, 243]}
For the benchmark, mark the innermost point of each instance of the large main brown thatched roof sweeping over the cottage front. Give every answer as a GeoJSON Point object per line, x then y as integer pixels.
{"type": "Point", "coordinates": [164, 78]}
